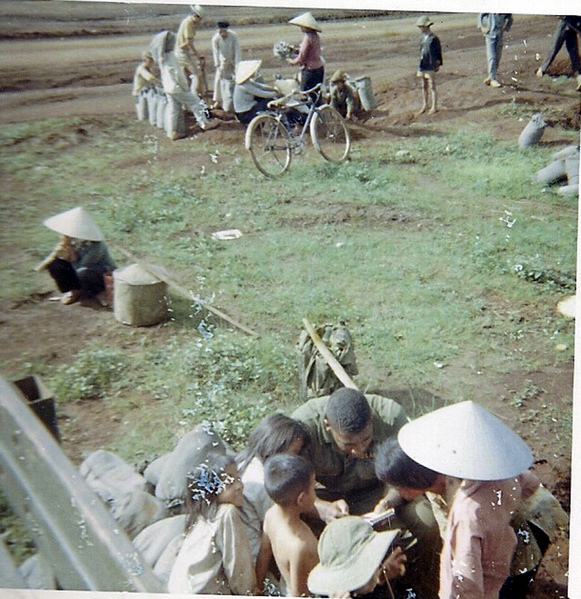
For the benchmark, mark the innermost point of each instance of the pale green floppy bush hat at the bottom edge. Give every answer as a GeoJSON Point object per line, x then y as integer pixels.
{"type": "Point", "coordinates": [350, 552]}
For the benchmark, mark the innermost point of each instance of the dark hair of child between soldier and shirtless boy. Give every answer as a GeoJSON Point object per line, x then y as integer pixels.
{"type": "Point", "coordinates": [274, 434]}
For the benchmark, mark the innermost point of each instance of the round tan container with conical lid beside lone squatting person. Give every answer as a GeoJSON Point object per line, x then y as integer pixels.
{"type": "Point", "coordinates": [140, 298]}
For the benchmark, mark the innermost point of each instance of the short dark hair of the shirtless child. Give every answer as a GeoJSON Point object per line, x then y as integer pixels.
{"type": "Point", "coordinates": [286, 476]}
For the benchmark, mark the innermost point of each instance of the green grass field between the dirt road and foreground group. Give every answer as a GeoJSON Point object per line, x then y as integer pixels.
{"type": "Point", "coordinates": [438, 251]}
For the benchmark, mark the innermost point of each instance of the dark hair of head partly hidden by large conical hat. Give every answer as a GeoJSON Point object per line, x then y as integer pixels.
{"type": "Point", "coordinates": [395, 467]}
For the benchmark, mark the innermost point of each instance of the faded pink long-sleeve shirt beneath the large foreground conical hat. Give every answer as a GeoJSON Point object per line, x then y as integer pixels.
{"type": "Point", "coordinates": [479, 542]}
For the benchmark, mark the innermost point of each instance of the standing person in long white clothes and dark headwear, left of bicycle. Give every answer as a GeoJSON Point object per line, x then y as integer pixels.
{"type": "Point", "coordinates": [226, 53]}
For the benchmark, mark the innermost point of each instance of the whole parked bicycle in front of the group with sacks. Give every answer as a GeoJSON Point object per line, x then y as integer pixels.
{"type": "Point", "coordinates": [271, 138]}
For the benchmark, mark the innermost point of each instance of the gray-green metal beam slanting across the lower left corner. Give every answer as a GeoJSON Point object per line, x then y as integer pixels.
{"type": "Point", "coordinates": [69, 524]}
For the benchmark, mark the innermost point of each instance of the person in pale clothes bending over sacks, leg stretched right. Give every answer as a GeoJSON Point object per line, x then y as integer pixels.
{"type": "Point", "coordinates": [175, 86]}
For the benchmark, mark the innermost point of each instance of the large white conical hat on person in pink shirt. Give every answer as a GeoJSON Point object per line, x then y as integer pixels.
{"type": "Point", "coordinates": [466, 441]}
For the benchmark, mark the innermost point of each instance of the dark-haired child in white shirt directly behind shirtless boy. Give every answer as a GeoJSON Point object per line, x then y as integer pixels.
{"type": "Point", "coordinates": [275, 434]}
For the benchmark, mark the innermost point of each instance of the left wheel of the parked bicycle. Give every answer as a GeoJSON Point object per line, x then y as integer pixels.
{"type": "Point", "coordinates": [268, 142]}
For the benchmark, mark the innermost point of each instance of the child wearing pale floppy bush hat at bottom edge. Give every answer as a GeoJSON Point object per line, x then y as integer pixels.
{"type": "Point", "coordinates": [355, 559]}
